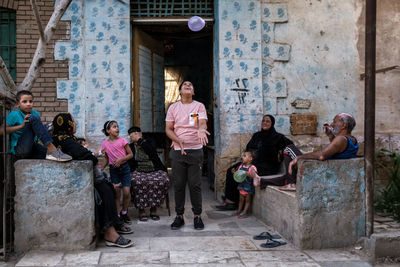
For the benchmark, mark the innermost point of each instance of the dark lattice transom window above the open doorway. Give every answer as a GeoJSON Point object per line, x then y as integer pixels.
{"type": "Point", "coordinates": [168, 8]}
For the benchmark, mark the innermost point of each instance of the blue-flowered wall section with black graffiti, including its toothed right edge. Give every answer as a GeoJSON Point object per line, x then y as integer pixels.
{"type": "Point", "coordinates": [248, 52]}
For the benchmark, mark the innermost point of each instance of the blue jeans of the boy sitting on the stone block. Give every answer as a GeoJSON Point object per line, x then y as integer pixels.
{"type": "Point", "coordinates": [26, 147]}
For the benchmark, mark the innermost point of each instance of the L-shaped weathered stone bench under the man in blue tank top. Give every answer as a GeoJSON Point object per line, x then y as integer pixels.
{"type": "Point", "coordinates": [326, 211]}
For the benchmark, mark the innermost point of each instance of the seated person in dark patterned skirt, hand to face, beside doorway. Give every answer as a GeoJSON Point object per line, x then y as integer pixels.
{"type": "Point", "coordinates": [149, 176]}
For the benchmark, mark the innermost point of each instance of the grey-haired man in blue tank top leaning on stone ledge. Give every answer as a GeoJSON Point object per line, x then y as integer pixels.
{"type": "Point", "coordinates": [342, 144]}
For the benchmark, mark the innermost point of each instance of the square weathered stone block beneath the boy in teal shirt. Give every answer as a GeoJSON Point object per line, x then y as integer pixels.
{"type": "Point", "coordinates": [54, 205]}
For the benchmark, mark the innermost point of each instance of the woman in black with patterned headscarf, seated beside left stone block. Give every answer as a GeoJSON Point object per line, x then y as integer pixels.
{"type": "Point", "coordinates": [107, 219]}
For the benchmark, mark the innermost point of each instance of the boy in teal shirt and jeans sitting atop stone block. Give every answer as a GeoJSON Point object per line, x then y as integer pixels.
{"type": "Point", "coordinates": [25, 127]}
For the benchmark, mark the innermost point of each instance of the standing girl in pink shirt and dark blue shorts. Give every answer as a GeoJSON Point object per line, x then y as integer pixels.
{"type": "Point", "coordinates": [118, 152]}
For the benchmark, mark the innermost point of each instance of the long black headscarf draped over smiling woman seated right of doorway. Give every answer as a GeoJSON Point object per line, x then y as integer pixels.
{"type": "Point", "coordinates": [267, 144]}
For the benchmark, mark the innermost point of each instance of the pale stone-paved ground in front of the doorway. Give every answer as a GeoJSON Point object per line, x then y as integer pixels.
{"type": "Point", "coordinates": [225, 241]}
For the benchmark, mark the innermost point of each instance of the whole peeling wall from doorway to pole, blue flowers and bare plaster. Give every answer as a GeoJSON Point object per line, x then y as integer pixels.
{"type": "Point", "coordinates": [270, 53]}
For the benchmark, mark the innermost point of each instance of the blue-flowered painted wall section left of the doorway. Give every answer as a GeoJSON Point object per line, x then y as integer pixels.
{"type": "Point", "coordinates": [99, 65]}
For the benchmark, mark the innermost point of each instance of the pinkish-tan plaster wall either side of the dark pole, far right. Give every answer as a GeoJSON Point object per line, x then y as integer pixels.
{"type": "Point", "coordinates": [388, 83]}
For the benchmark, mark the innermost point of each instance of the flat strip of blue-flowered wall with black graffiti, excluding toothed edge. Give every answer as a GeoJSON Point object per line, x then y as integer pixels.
{"type": "Point", "coordinates": [240, 68]}
